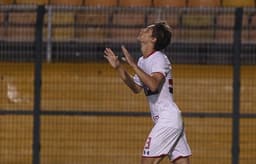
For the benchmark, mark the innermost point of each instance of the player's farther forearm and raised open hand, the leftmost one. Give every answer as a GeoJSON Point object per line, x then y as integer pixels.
{"type": "Point", "coordinates": [124, 75]}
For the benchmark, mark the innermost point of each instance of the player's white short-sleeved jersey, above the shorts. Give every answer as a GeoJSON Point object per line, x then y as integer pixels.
{"type": "Point", "coordinates": [162, 107]}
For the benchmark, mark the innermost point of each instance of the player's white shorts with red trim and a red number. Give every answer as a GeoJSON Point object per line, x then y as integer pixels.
{"type": "Point", "coordinates": [169, 141]}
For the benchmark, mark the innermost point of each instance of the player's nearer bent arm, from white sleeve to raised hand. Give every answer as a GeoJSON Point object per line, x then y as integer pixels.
{"type": "Point", "coordinates": [153, 81]}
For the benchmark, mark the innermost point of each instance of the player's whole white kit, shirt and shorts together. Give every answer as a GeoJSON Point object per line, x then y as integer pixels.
{"type": "Point", "coordinates": [167, 137]}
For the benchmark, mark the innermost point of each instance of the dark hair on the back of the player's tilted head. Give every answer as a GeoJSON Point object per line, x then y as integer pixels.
{"type": "Point", "coordinates": [162, 33]}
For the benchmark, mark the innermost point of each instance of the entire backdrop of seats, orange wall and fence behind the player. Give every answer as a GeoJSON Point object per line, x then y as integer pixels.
{"type": "Point", "coordinates": [61, 103]}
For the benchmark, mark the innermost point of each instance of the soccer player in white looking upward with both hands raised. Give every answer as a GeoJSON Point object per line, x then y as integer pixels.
{"type": "Point", "coordinates": [153, 75]}
